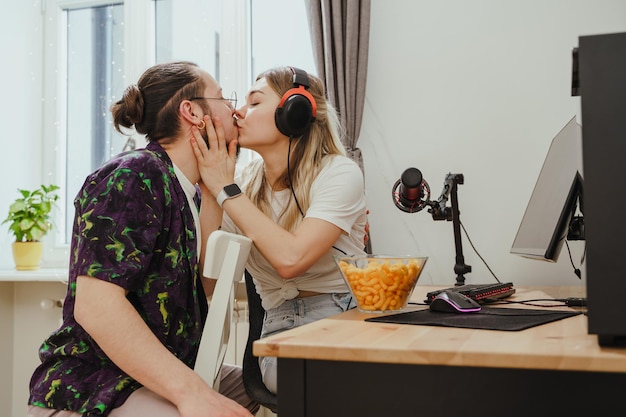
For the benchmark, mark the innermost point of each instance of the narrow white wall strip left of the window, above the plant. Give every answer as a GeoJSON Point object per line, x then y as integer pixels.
{"type": "Point", "coordinates": [21, 72]}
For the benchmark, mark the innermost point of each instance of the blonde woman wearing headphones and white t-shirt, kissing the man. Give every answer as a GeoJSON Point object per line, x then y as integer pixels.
{"type": "Point", "coordinates": [303, 201]}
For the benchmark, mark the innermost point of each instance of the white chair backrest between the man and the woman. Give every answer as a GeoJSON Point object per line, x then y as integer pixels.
{"type": "Point", "coordinates": [225, 259]}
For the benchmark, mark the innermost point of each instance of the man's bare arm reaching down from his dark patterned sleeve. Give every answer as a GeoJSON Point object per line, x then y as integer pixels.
{"type": "Point", "coordinates": [103, 310]}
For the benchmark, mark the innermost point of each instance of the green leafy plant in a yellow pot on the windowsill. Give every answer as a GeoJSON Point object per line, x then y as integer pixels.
{"type": "Point", "coordinates": [29, 221]}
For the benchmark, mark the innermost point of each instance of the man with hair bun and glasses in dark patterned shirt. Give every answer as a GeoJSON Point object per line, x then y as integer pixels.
{"type": "Point", "coordinates": [134, 311]}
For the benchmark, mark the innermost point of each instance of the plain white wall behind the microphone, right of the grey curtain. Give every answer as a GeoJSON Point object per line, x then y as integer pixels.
{"type": "Point", "coordinates": [478, 88]}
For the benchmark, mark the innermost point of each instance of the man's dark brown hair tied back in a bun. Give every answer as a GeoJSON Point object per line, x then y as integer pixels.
{"type": "Point", "coordinates": [151, 105]}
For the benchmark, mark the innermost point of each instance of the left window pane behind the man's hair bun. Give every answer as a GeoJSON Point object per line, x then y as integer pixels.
{"type": "Point", "coordinates": [95, 74]}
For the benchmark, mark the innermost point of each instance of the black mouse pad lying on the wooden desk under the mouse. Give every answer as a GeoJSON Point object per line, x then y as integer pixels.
{"type": "Point", "coordinates": [489, 318]}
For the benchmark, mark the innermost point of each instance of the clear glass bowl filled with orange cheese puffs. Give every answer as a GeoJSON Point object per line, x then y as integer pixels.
{"type": "Point", "coordinates": [379, 283]}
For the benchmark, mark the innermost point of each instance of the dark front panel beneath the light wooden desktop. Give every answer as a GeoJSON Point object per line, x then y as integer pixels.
{"type": "Point", "coordinates": [318, 388]}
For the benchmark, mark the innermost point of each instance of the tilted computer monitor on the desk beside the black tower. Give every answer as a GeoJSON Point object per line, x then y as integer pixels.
{"type": "Point", "coordinates": [554, 199]}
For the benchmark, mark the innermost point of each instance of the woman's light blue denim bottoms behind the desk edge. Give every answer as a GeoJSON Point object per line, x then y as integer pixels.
{"type": "Point", "coordinates": [294, 313]}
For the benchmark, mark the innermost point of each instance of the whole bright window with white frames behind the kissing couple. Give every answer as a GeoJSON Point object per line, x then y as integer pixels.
{"type": "Point", "coordinates": [92, 53]}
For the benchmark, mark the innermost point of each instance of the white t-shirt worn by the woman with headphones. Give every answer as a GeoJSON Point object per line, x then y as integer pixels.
{"type": "Point", "coordinates": [337, 196]}
